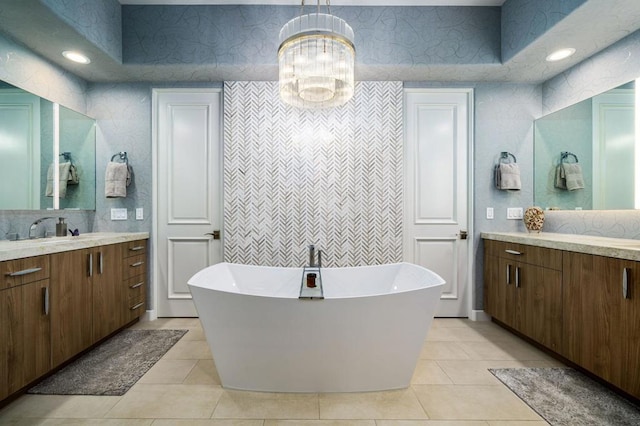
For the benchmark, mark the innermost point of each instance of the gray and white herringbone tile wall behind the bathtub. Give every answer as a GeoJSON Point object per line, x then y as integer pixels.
{"type": "Point", "coordinates": [331, 177]}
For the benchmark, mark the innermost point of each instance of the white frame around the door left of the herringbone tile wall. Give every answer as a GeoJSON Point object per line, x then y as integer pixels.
{"type": "Point", "coordinates": [152, 313]}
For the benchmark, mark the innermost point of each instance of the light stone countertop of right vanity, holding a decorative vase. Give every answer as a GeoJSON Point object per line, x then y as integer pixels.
{"type": "Point", "coordinates": [601, 246]}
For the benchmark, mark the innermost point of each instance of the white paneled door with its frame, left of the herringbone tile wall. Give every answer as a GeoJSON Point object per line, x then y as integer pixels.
{"type": "Point", "coordinates": [187, 207]}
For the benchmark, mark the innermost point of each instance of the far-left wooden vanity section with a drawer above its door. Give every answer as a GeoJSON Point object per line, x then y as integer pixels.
{"type": "Point", "coordinates": [25, 351]}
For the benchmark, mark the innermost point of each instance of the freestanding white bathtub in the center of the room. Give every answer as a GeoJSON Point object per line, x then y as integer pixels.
{"type": "Point", "coordinates": [365, 335]}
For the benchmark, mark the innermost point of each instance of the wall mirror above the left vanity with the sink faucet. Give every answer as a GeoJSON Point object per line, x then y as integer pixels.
{"type": "Point", "coordinates": [39, 142]}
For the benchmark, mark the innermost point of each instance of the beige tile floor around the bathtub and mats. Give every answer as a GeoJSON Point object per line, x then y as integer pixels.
{"type": "Point", "coordinates": [451, 386]}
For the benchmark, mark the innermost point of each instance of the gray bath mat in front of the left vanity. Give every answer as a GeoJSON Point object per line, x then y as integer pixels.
{"type": "Point", "coordinates": [112, 367]}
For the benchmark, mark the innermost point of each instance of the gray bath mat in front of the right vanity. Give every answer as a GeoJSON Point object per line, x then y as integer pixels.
{"type": "Point", "coordinates": [563, 396]}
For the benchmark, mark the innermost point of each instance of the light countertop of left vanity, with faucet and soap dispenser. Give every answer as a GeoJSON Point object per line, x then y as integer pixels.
{"type": "Point", "coordinates": [10, 250]}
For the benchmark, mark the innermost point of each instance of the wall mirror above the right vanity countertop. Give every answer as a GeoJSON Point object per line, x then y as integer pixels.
{"type": "Point", "coordinates": [598, 134]}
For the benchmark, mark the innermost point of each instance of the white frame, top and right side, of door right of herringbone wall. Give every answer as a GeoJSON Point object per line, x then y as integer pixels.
{"type": "Point", "coordinates": [470, 288]}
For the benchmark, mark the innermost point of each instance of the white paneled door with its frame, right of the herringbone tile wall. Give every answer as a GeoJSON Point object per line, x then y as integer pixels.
{"type": "Point", "coordinates": [437, 128]}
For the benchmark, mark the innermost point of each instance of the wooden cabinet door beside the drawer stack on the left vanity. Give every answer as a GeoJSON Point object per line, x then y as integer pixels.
{"type": "Point", "coordinates": [107, 290]}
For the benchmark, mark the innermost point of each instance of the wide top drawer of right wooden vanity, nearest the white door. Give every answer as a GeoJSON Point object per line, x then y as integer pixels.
{"type": "Point", "coordinates": [533, 255]}
